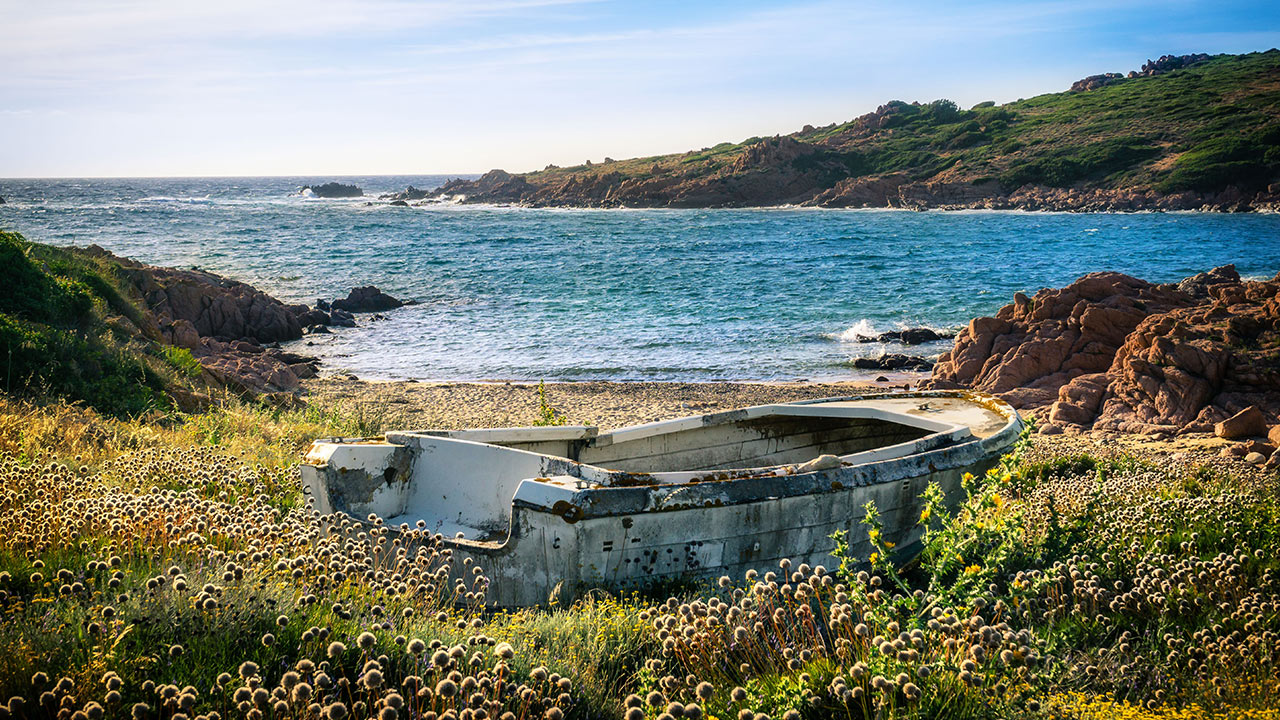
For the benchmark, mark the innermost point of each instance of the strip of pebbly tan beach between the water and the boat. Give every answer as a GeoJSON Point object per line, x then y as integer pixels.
{"type": "Point", "coordinates": [419, 405]}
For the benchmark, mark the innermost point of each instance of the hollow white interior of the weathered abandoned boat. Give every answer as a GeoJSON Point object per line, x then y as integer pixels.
{"type": "Point", "coordinates": [464, 482]}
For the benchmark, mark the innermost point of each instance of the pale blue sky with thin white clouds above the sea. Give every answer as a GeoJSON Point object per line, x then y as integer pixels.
{"type": "Point", "coordinates": [260, 88]}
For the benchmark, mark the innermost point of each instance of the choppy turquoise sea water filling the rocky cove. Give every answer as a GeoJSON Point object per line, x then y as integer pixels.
{"type": "Point", "coordinates": [520, 294]}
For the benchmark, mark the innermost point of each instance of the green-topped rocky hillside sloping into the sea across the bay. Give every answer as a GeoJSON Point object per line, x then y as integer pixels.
{"type": "Point", "coordinates": [1191, 133]}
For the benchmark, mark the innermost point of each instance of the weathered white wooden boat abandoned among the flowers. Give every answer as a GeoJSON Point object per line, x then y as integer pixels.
{"type": "Point", "coordinates": [560, 511]}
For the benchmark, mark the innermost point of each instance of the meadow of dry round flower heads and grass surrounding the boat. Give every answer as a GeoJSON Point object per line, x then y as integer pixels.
{"type": "Point", "coordinates": [176, 566]}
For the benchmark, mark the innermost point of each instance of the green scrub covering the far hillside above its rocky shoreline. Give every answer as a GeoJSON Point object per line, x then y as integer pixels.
{"type": "Point", "coordinates": [1203, 129]}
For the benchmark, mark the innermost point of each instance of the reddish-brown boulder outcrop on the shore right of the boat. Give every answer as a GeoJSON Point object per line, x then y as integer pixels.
{"type": "Point", "coordinates": [1117, 354]}
